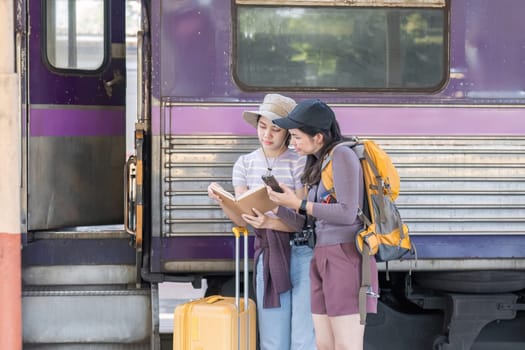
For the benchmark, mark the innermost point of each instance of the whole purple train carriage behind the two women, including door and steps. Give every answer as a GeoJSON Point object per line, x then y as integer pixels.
{"type": "Point", "coordinates": [442, 90]}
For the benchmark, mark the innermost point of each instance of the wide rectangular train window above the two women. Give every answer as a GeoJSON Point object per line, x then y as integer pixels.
{"type": "Point", "coordinates": [340, 47]}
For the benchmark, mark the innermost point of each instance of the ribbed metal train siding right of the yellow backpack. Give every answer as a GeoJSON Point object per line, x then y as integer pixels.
{"type": "Point", "coordinates": [460, 185]}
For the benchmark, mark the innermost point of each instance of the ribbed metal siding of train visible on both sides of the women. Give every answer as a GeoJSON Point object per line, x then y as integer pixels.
{"type": "Point", "coordinates": [452, 185]}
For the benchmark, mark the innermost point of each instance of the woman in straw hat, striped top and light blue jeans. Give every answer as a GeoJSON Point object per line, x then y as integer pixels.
{"type": "Point", "coordinates": [281, 261]}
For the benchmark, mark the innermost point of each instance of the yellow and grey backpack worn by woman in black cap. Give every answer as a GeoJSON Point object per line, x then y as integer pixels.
{"type": "Point", "coordinates": [384, 234]}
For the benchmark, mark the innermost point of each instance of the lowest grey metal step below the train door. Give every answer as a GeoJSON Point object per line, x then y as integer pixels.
{"type": "Point", "coordinates": [98, 317]}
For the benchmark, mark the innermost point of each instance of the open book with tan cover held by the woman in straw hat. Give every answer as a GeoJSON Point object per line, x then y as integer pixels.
{"type": "Point", "coordinates": [255, 198]}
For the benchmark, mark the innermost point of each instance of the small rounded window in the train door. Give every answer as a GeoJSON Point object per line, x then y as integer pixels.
{"type": "Point", "coordinates": [75, 34]}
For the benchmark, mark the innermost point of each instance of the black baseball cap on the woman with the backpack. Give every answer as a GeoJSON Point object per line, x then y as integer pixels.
{"type": "Point", "coordinates": [311, 113]}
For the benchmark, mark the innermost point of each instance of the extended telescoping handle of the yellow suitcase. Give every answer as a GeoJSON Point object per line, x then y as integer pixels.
{"type": "Point", "coordinates": [237, 233]}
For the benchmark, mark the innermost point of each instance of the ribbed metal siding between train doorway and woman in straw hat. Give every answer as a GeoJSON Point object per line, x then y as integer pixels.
{"type": "Point", "coordinates": [189, 164]}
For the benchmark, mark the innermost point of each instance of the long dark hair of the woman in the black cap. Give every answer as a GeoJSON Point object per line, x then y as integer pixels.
{"type": "Point", "coordinates": [312, 169]}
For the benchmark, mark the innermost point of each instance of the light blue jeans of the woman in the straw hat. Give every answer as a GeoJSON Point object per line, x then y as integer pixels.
{"type": "Point", "coordinates": [289, 326]}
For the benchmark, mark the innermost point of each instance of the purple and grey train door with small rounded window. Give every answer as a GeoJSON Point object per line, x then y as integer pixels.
{"type": "Point", "coordinates": [75, 113]}
